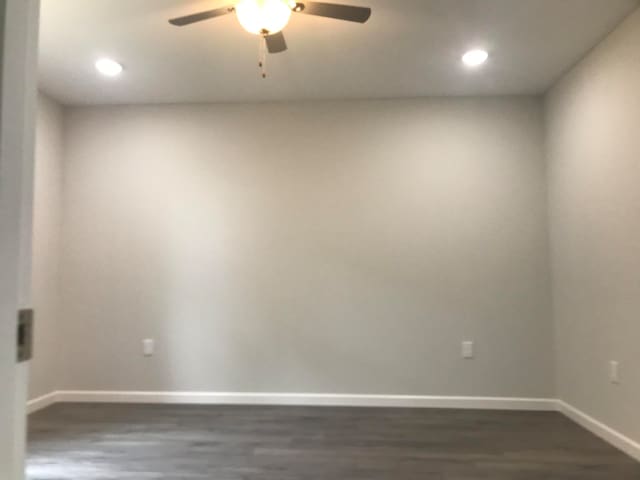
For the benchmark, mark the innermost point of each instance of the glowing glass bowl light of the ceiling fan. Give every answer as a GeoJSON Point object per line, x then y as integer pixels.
{"type": "Point", "coordinates": [262, 17]}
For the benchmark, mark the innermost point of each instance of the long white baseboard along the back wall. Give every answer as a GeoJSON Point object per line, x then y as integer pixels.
{"type": "Point", "coordinates": [404, 401]}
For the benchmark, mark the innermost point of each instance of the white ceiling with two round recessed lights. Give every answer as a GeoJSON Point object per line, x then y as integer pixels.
{"type": "Point", "coordinates": [408, 48]}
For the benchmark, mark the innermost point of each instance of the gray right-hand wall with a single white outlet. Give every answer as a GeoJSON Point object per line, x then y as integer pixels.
{"type": "Point", "coordinates": [593, 125]}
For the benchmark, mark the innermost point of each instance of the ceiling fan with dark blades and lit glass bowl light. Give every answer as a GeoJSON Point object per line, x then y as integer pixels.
{"type": "Point", "coordinates": [269, 17]}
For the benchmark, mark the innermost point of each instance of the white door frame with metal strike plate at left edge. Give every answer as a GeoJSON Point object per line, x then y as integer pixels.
{"type": "Point", "coordinates": [18, 93]}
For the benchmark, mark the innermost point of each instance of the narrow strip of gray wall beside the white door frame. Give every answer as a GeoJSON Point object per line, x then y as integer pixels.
{"type": "Point", "coordinates": [47, 221]}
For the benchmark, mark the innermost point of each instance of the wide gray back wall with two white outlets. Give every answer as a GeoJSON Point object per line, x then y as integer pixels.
{"type": "Point", "coordinates": [343, 247]}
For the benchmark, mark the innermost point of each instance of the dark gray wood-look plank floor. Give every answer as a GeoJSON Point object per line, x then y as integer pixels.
{"type": "Point", "coordinates": [127, 442]}
